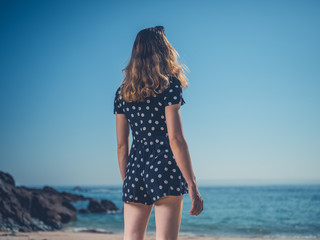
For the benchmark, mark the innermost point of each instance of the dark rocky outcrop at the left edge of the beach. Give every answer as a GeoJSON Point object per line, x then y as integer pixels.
{"type": "Point", "coordinates": [31, 209]}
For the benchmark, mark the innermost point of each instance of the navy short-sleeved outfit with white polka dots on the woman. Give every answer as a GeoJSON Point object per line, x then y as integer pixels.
{"type": "Point", "coordinates": [151, 170]}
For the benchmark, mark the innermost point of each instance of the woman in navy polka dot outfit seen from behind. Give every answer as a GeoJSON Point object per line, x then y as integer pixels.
{"type": "Point", "coordinates": [157, 170]}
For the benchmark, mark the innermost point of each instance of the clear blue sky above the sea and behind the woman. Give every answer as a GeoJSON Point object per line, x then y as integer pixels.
{"type": "Point", "coordinates": [252, 106]}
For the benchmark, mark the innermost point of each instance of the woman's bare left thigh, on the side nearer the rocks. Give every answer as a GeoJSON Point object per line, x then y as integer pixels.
{"type": "Point", "coordinates": [136, 218]}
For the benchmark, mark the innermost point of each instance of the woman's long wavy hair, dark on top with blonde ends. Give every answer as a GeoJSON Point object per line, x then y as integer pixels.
{"type": "Point", "coordinates": [153, 60]}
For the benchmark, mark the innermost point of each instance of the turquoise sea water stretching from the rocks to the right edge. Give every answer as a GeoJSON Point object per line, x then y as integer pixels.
{"type": "Point", "coordinates": [243, 211]}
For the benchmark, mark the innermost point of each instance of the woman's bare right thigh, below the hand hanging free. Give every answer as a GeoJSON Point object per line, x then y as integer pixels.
{"type": "Point", "coordinates": [168, 211]}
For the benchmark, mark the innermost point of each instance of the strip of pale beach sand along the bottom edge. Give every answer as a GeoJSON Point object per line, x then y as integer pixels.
{"type": "Point", "coordinates": [64, 235]}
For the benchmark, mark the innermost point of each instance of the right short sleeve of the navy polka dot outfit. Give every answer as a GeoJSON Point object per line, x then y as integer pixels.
{"type": "Point", "coordinates": [173, 95]}
